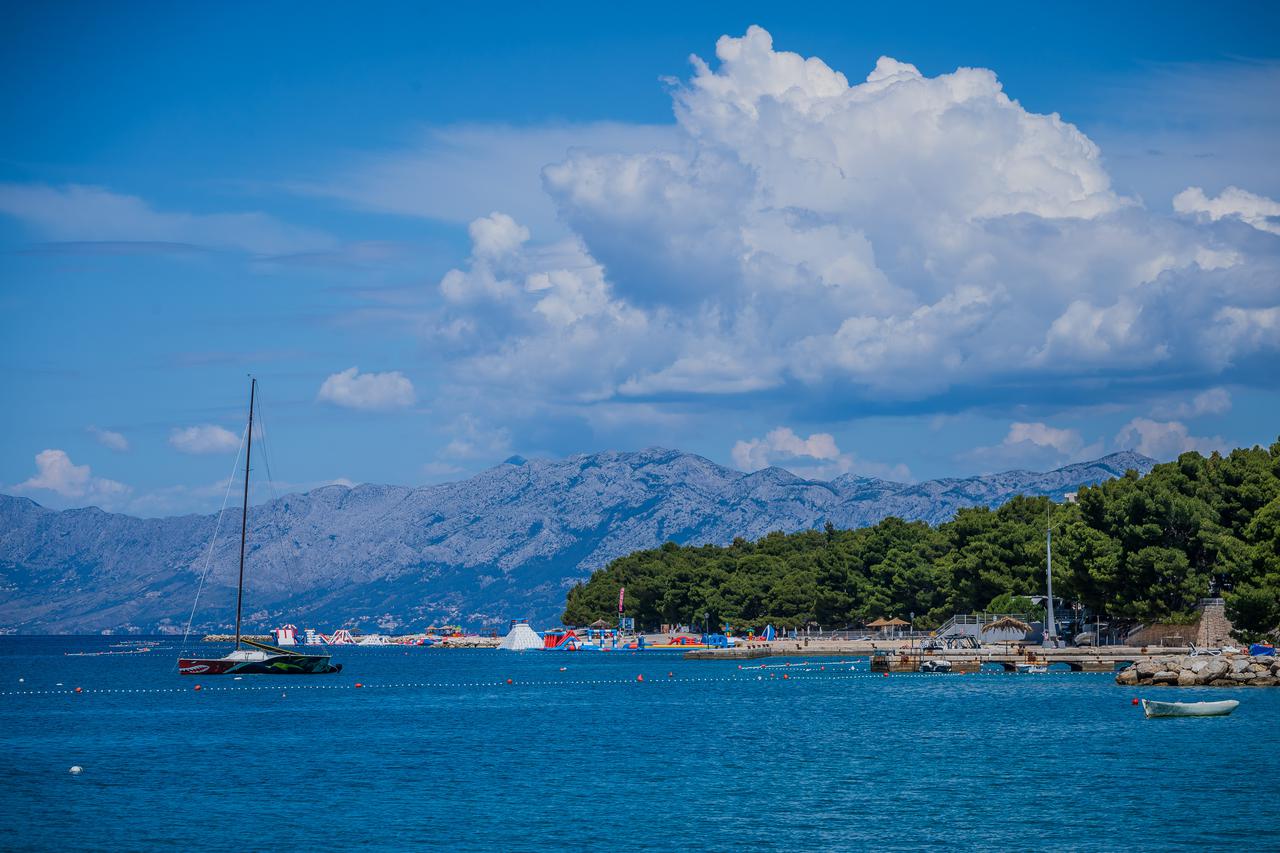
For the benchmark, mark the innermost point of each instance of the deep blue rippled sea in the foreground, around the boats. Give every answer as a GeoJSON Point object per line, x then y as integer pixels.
{"type": "Point", "coordinates": [437, 751]}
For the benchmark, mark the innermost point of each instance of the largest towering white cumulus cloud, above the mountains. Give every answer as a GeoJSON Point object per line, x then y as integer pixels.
{"type": "Point", "coordinates": [803, 232]}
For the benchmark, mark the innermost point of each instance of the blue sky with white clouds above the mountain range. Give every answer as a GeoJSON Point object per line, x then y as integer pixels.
{"type": "Point", "coordinates": [444, 236]}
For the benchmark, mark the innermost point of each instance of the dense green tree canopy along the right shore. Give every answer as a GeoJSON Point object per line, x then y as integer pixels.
{"type": "Point", "coordinates": [1137, 549]}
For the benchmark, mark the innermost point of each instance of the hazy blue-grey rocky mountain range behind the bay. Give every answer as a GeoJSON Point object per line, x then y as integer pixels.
{"type": "Point", "coordinates": [505, 544]}
